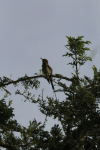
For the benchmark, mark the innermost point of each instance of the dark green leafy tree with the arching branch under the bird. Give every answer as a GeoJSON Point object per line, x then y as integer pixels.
{"type": "Point", "coordinates": [77, 113]}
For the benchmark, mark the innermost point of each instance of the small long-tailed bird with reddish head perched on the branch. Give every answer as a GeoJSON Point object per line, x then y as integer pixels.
{"type": "Point", "coordinates": [47, 70]}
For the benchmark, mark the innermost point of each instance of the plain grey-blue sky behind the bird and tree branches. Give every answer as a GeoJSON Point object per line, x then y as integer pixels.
{"type": "Point", "coordinates": [33, 29]}
